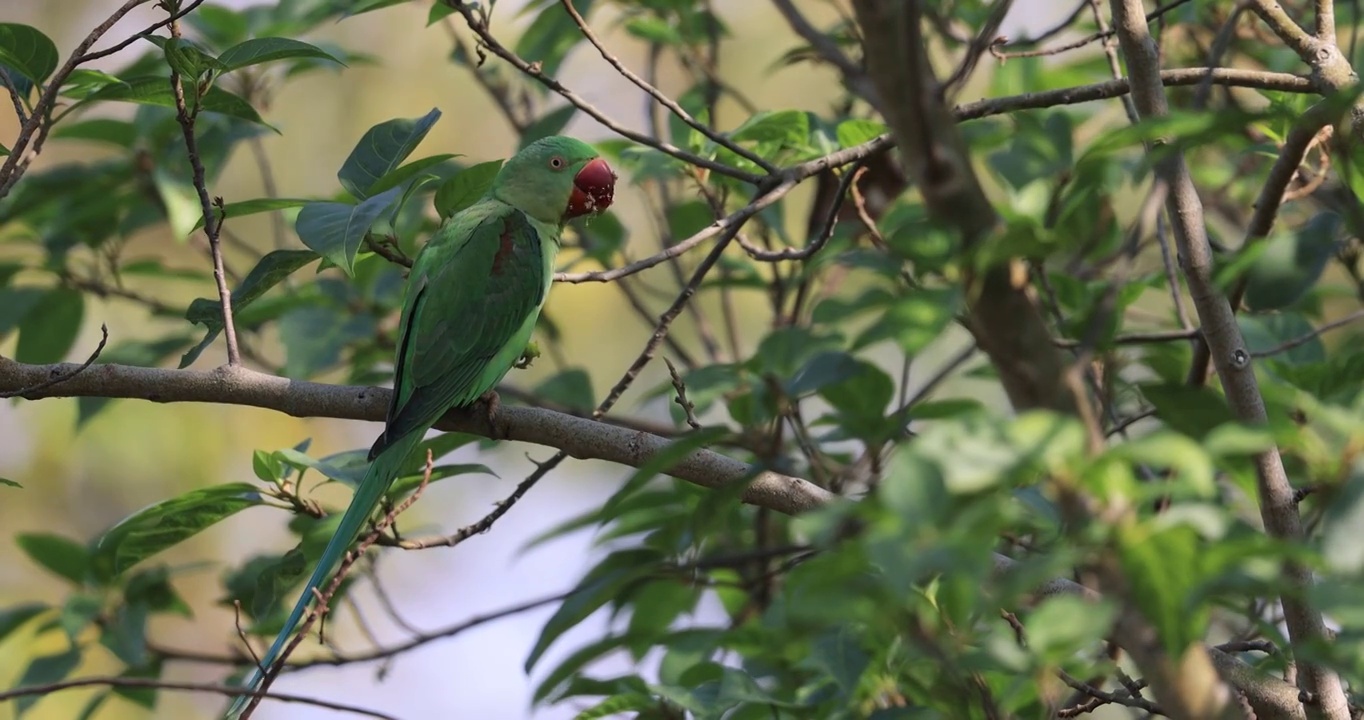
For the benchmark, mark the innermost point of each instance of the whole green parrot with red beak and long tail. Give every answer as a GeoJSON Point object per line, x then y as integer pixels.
{"type": "Point", "coordinates": [473, 301]}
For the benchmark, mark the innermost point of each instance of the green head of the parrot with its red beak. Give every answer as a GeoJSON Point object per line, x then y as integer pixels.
{"type": "Point", "coordinates": [556, 179]}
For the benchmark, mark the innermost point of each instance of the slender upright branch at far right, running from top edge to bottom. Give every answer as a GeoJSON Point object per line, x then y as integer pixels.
{"type": "Point", "coordinates": [1231, 358]}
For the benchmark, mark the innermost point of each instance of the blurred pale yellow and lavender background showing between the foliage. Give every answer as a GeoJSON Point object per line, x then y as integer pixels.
{"type": "Point", "coordinates": [138, 453]}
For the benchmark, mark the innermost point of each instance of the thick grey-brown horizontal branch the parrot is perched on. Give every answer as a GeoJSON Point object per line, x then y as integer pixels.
{"type": "Point", "coordinates": [584, 440]}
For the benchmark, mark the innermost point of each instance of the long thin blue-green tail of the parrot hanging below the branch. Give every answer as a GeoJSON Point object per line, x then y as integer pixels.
{"type": "Point", "coordinates": [377, 481]}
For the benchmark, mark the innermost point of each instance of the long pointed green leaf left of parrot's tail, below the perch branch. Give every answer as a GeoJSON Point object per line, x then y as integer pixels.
{"type": "Point", "coordinates": [170, 523]}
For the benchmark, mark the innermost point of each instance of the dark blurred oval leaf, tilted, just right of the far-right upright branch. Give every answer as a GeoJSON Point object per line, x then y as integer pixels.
{"type": "Point", "coordinates": [1291, 264]}
